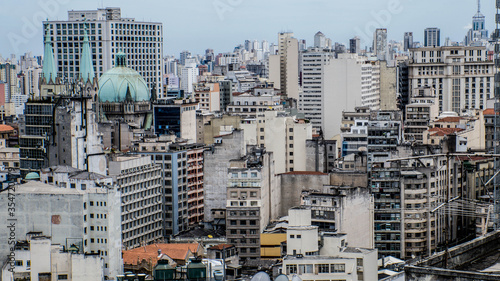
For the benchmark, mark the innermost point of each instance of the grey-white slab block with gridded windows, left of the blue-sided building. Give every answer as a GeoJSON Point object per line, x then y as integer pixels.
{"type": "Point", "coordinates": [139, 181]}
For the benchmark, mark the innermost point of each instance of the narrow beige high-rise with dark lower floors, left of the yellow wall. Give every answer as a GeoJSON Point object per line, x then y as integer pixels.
{"type": "Point", "coordinates": [252, 201]}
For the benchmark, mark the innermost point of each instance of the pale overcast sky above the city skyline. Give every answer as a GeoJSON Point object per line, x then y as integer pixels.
{"type": "Point", "coordinates": [196, 25]}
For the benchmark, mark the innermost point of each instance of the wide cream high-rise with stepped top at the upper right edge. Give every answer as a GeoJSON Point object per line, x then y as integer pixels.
{"type": "Point", "coordinates": [462, 76]}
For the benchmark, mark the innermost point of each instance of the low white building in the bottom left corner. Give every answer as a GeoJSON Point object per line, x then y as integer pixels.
{"type": "Point", "coordinates": [38, 258]}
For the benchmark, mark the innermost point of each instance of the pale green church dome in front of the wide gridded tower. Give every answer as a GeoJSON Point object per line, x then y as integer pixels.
{"type": "Point", "coordinates": [122, 83]}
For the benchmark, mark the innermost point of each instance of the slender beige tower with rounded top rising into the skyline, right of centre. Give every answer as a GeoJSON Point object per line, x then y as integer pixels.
{"type": "Point", "coordinates": [284, 67]}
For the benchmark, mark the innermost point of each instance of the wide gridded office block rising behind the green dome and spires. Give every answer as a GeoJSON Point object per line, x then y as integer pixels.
{"type": "Point", "coordinates": [109, 34]}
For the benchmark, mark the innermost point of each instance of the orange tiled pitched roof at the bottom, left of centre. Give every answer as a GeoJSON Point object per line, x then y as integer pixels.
{"type": "Point", "coordinates": [150, 252]}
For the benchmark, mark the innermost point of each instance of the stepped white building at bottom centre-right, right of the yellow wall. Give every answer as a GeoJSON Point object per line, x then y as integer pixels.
{"type": "Point", "coordinates": [324, 256]}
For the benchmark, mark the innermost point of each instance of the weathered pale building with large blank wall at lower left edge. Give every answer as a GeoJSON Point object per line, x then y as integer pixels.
{"type": "Point", "coordinates": [89, 219]}
